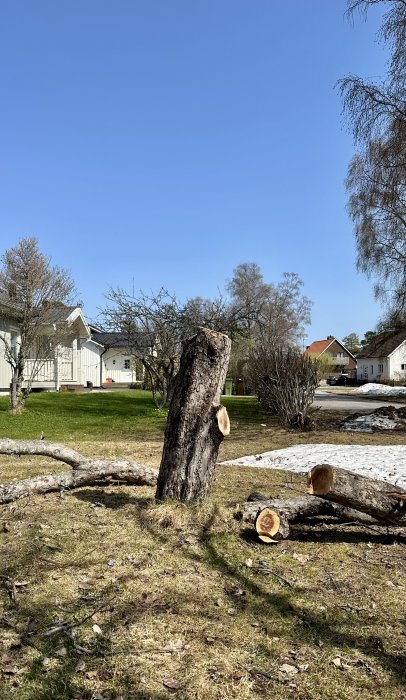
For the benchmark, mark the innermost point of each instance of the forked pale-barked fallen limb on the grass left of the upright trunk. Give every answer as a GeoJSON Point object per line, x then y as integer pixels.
{"type": "Point", "coordinates": [85, 470]}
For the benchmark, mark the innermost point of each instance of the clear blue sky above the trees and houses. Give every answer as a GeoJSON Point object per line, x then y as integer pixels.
{"type": "Point", "coordinates": [163, 142]}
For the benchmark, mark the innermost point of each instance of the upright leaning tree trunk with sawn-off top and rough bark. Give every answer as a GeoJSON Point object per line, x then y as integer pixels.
{"type": "Point", "coordinates": [196, 421]}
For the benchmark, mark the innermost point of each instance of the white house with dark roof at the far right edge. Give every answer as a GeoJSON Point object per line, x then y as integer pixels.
{"type": "Point", "coordinates": [384, 358]}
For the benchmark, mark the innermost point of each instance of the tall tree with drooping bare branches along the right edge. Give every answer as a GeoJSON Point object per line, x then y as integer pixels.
{"type": "Point", "coordinates": [376, 181]}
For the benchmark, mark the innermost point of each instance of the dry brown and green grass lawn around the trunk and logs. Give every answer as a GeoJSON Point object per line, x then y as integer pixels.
{"type": "Point", "coordinates": [171, 600]}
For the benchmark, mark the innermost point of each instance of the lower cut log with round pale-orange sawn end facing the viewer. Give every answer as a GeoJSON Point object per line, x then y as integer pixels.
{"type": "Point", "coordinates": [293, 510]}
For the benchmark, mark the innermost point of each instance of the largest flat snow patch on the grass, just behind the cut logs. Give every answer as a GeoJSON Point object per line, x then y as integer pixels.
{"type": "Point", "coordinates": [375, 461]}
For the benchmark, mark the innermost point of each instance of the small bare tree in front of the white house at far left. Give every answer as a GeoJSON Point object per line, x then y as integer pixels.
{"type": "Point", "coordinates": [32, 286]}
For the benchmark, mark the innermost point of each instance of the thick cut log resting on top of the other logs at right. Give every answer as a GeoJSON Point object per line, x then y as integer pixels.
{"type": "Point", "coordinates": [381, 500]}
